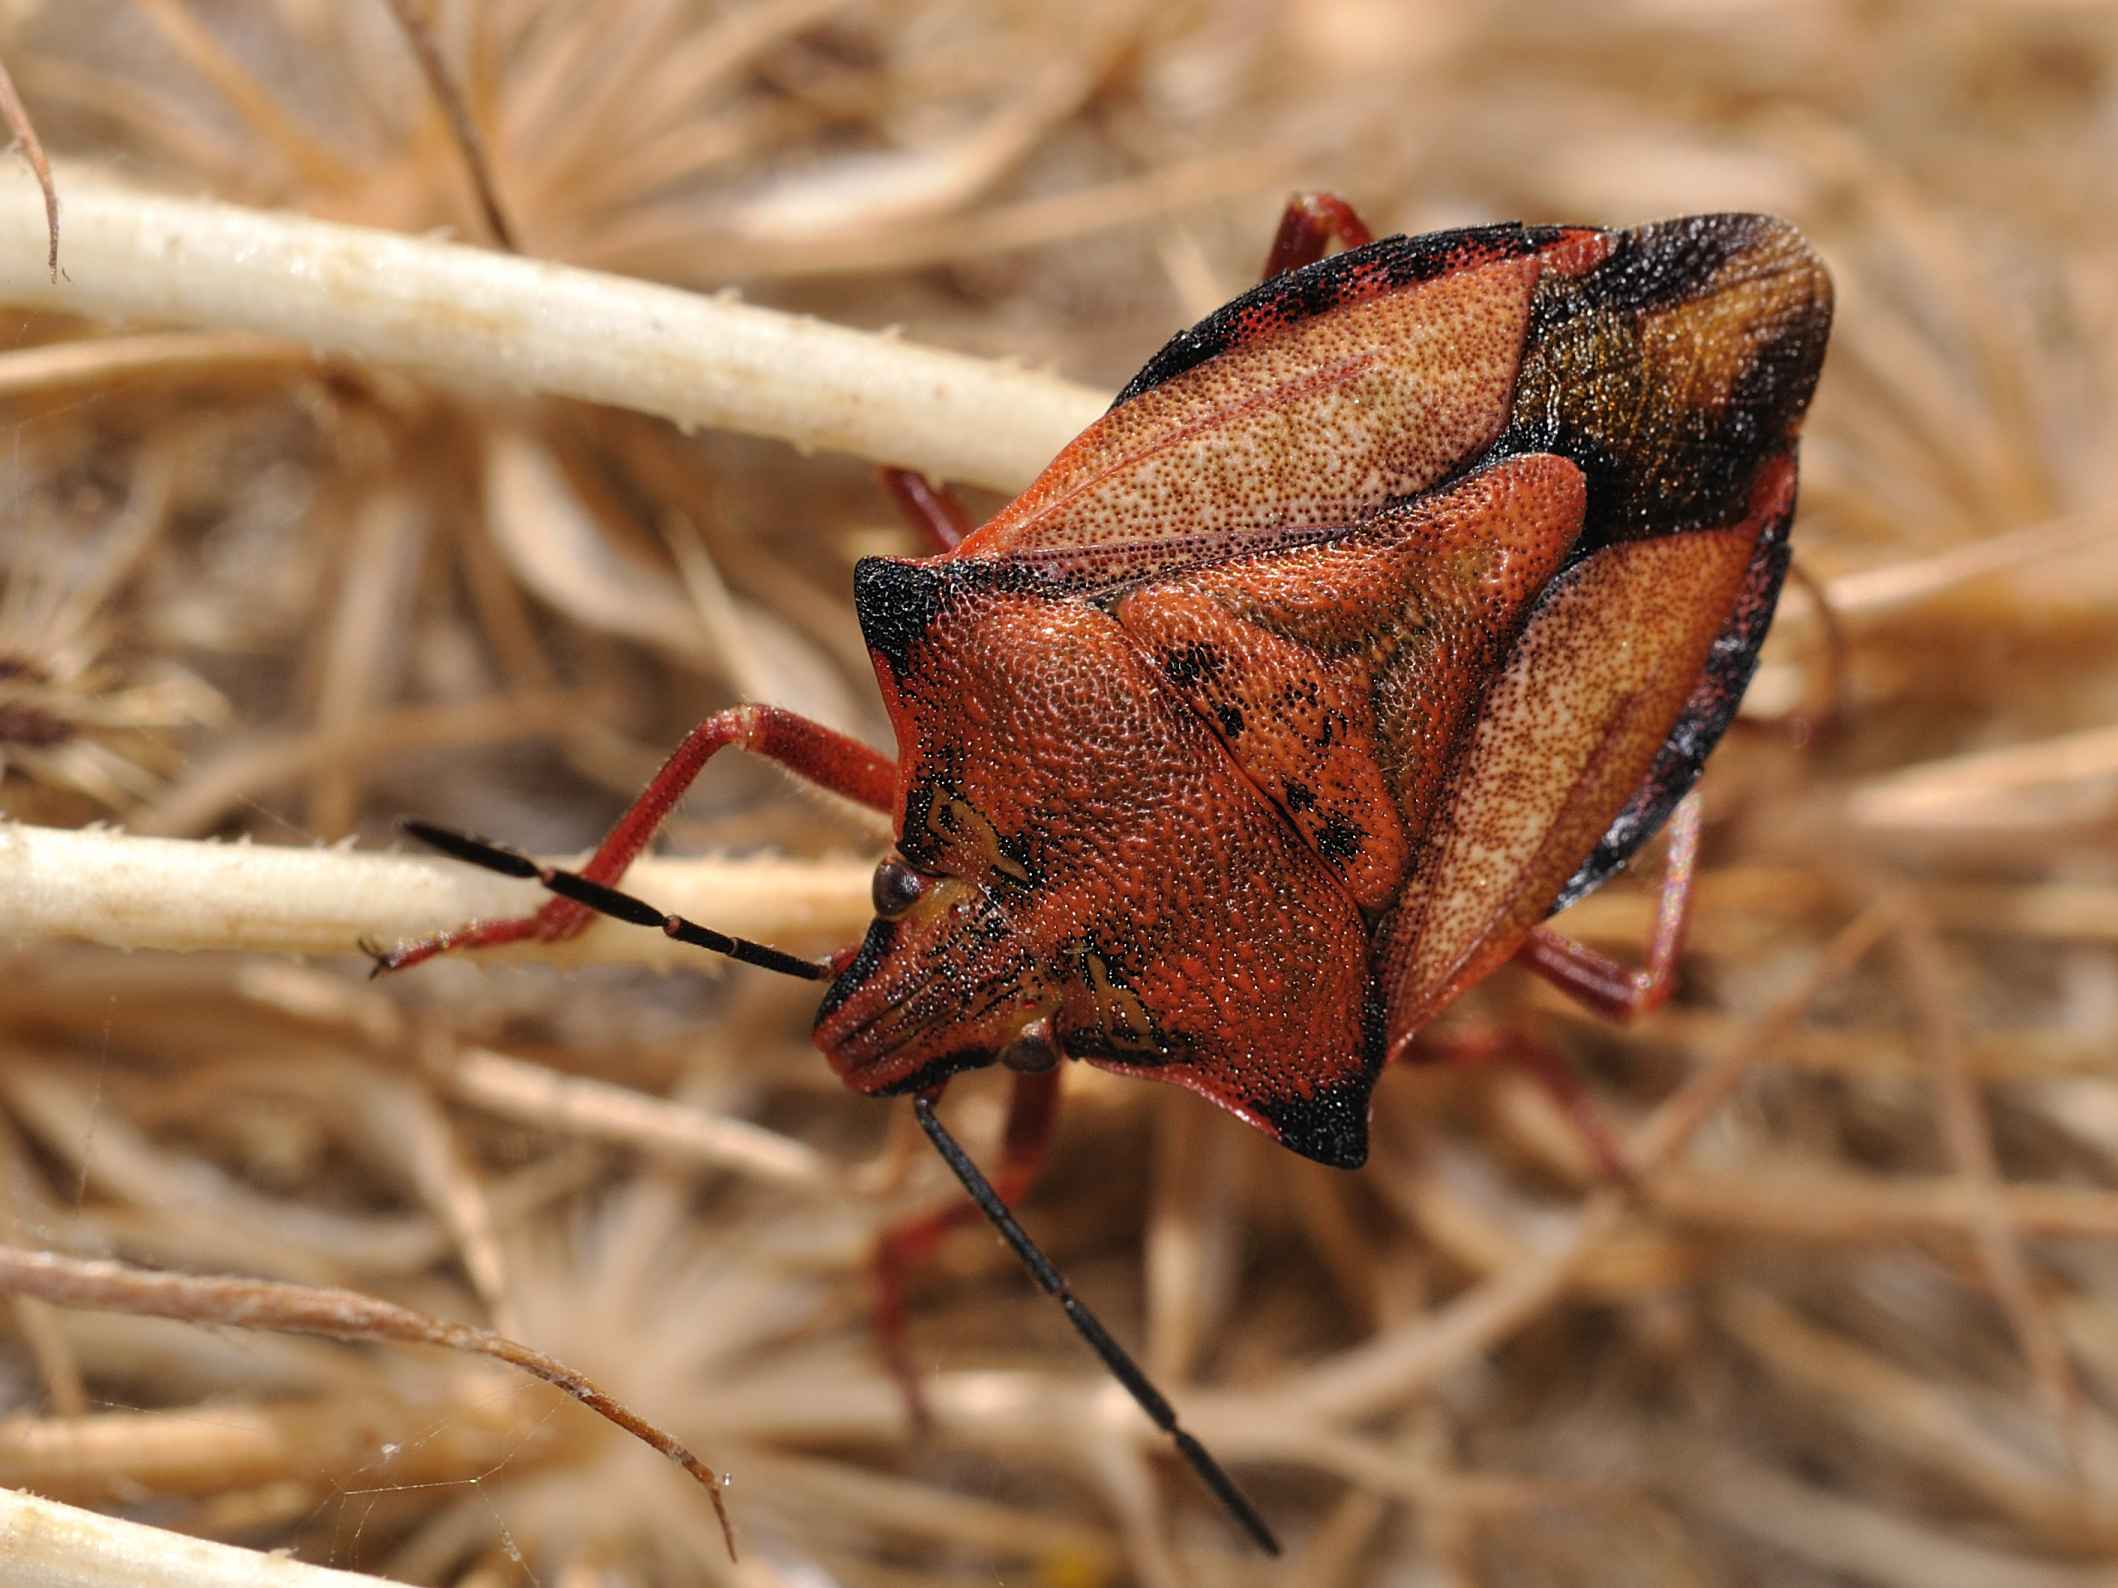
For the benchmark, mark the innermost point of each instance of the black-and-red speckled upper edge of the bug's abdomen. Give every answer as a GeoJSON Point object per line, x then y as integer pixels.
{"type": "Point", "coordinates": [1323, 287]}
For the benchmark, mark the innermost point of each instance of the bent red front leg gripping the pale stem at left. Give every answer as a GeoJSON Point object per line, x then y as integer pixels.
{"type": "Point", "coordinates": [806, 748]}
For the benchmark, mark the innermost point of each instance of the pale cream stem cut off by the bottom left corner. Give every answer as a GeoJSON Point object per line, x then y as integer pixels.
{"type": "Point", "coordinates": [48, 1545]}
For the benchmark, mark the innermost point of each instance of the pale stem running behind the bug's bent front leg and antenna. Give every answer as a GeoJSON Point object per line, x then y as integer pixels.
{"type": "Point", "coordinates": [128, 892]}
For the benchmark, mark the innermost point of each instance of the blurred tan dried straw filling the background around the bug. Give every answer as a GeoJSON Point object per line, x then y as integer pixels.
{"type": "Point", "coordinates": [1859, 1331]}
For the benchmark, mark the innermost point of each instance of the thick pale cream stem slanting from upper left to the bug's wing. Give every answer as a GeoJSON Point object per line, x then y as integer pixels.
{"type": "Point", "coordinates": [490, 321]}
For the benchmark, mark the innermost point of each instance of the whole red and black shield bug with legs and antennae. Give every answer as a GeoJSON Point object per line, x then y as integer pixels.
{"type": "Point", "coordinates": [1386, 613]}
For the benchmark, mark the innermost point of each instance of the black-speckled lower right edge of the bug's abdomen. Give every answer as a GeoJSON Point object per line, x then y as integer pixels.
{"type": "Point", "coordinates": [1700, 725]}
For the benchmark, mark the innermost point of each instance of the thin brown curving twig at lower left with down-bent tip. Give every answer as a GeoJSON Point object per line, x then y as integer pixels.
{"type": "Point", "coordinates": [312, 1310]}
